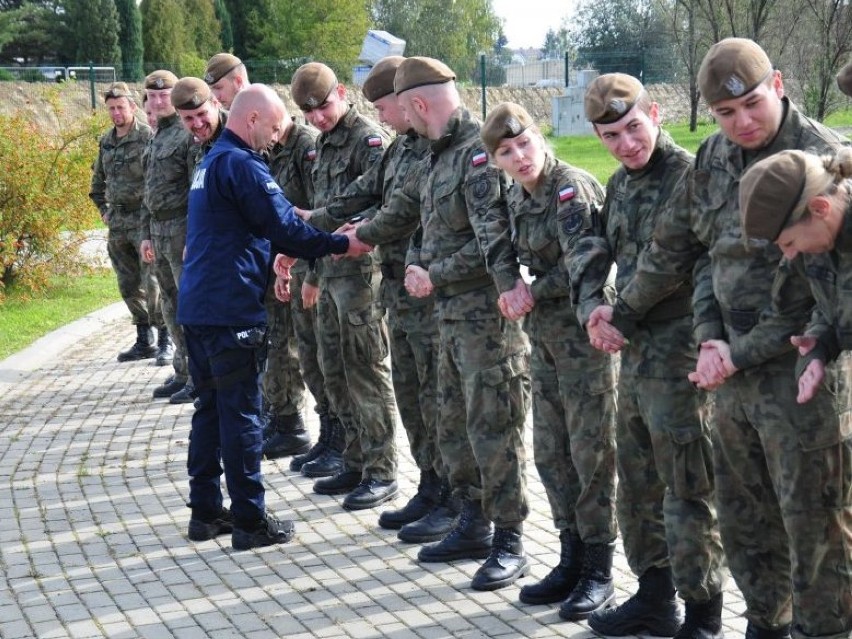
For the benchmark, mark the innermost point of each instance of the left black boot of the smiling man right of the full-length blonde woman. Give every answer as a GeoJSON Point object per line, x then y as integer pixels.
{"type": "Point", "coordinates": [653, 610]}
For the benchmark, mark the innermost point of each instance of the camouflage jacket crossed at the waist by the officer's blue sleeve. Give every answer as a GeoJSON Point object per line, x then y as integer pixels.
{"type": "Point", "coordinates": [343, 154]}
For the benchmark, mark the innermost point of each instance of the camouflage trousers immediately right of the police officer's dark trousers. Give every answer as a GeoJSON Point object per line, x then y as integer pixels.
{"type": "Point", "coordinates": [283, 387]}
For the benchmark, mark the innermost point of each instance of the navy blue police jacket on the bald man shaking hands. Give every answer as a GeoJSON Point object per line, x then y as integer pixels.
{"type": "Point", "coordinates": [235, 209]}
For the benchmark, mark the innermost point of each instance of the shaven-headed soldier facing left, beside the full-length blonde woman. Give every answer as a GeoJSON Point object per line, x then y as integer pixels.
{"type": "Point", "coordinates": [466, 259]}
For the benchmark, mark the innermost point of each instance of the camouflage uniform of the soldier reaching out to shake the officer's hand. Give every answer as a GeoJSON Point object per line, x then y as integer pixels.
{"type": "Point", "coordinates": [411, 320]}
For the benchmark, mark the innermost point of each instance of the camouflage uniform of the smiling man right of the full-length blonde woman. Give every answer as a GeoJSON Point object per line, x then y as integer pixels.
{"type": "Point", "coordinates": [665, 487]}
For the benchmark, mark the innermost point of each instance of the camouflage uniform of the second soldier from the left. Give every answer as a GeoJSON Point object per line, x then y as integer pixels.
{"type": "Point", "coordinates": [169, 161]}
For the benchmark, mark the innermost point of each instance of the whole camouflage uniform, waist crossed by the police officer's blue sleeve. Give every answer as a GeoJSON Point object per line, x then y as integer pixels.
{"type": "Point", "coordinates": [353, 340]}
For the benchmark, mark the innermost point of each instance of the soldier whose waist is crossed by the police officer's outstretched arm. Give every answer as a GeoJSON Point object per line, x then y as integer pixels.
{"type": "Point", "coordinates": [353, 337]}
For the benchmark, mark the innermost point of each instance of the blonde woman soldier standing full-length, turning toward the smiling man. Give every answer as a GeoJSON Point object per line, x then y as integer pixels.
{"type": "Point", "coordinates": [552, 206]}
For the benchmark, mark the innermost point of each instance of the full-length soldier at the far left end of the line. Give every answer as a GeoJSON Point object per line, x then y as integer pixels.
{"type": "Point", "coordinates": [117, 189]}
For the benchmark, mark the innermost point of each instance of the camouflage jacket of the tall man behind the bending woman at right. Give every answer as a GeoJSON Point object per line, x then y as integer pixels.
{"type": "Point", "coordinates": [737, 296]}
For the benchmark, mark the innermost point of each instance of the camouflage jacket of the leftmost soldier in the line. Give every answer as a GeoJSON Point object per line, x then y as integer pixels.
{"type": "Point", "coordinates": [118, 182]}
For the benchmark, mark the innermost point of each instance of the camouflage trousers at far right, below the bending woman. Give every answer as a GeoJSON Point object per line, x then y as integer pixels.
{"type": "Point", "coordinates": [784, 494]}
